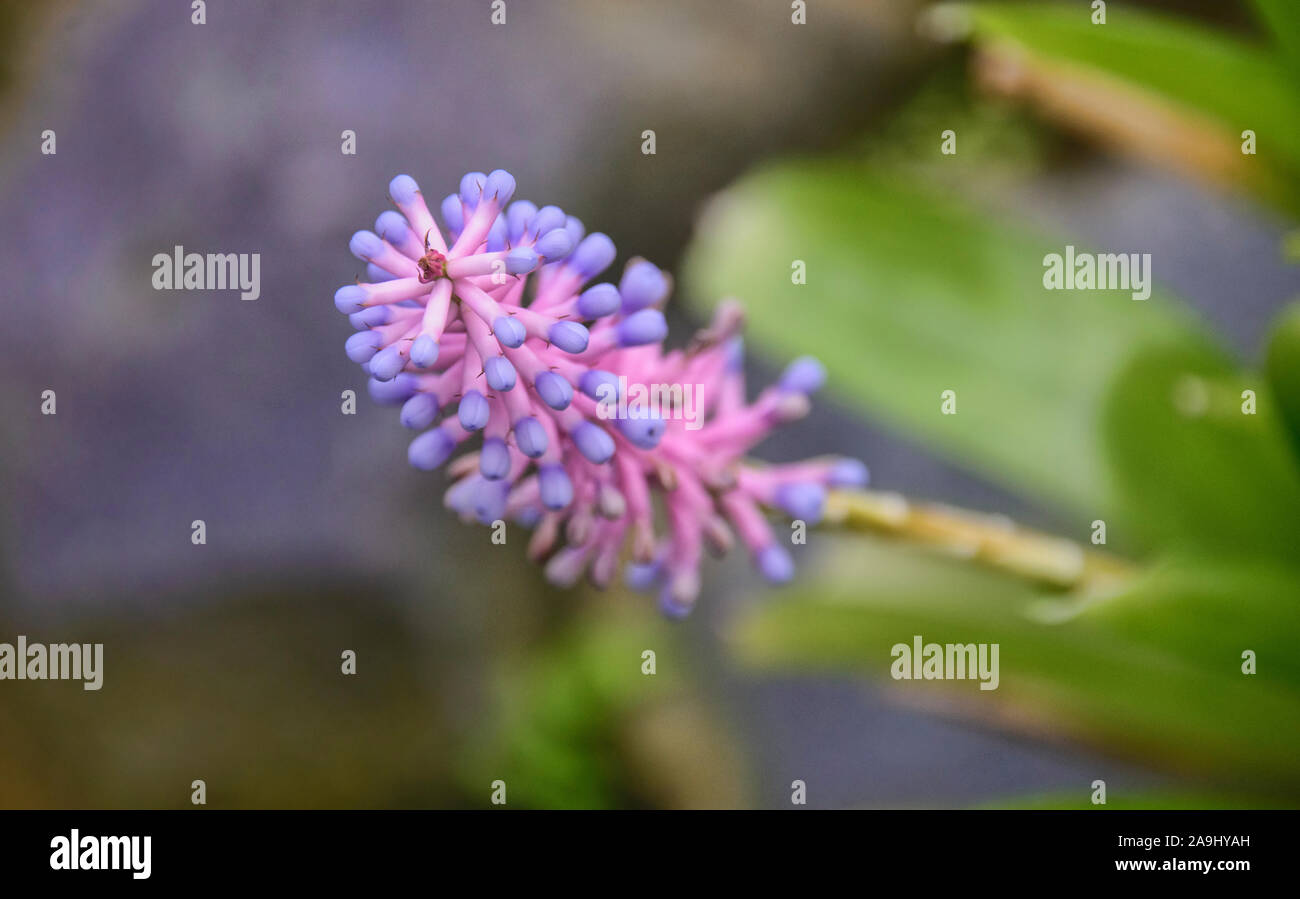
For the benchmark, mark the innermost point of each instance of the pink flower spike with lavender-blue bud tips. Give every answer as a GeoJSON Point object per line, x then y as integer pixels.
{"type": "Point", "coordinates": [496, 320]}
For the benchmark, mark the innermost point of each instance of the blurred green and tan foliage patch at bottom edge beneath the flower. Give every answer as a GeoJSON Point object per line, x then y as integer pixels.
{"type": "Point", "coordinates": [567, 728]}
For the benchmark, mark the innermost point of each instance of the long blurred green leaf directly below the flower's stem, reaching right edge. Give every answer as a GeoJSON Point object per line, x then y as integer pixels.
{"type": "Point", "coordinates": [1154, 674]}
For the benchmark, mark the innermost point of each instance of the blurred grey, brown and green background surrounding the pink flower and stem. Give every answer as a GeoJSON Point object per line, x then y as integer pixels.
{"type": "Point", "coordinates": [775, 141]}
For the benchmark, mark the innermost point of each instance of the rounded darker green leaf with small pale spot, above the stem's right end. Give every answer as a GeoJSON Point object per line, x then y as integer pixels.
{"type": "Point", "coordinates": [1194, 470]}
